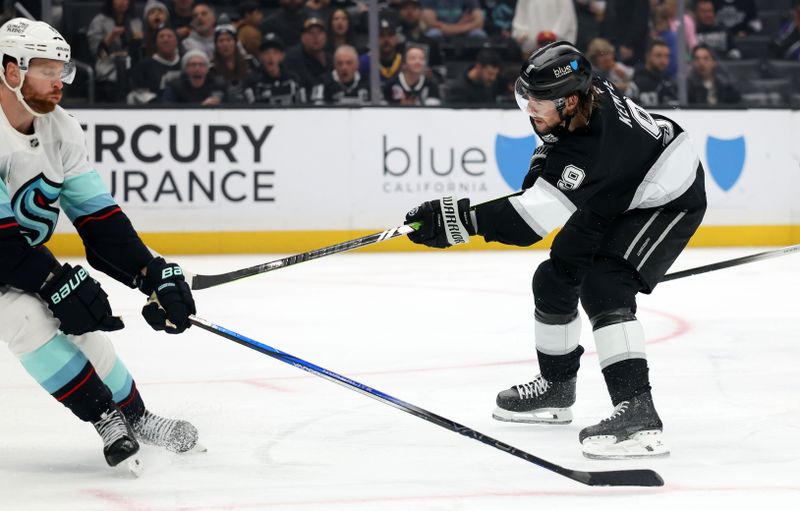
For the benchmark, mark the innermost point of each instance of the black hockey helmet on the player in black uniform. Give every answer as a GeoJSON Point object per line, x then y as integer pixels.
{"type": "Point", "coordinates": [555, 71]}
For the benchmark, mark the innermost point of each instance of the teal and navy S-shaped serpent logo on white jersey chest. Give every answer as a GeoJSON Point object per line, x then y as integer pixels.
{"type": "Point", "coordinates": [34, 211]}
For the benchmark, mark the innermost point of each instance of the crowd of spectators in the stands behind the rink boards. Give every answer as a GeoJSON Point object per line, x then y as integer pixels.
{"type": "Point", "coordinates": [431, 52]}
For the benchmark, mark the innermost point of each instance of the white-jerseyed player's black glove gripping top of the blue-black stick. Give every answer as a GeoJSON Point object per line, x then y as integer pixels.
{"type": "Point", "coordinates": [170, 301]}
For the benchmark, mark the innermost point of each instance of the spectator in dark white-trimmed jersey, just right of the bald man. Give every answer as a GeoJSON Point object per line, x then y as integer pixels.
{"type": "Point", "coordinates": [412, 86]}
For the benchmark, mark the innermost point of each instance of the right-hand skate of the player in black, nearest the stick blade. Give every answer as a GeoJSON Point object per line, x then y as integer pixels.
{"type": "Point", "coordinates": [633, 430]}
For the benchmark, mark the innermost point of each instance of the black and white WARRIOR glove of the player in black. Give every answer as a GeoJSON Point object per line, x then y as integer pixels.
{"type": "Point", "coordinates": [445, 222]}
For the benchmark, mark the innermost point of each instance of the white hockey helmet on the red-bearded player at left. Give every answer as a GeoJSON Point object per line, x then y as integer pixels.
{"type": "Point", "coordinates": [25, 40]}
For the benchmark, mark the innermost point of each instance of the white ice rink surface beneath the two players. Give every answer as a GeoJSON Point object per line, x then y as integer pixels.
{"type": "Point", "coordinates": [444, 331]}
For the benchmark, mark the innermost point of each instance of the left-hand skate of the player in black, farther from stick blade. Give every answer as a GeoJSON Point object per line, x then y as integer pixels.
{"type": "Point", "coordinates": [537, 402]}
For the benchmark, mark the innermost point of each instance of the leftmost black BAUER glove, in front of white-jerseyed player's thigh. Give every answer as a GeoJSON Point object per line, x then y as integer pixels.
{"type": "Point", "coordinates": [78, 302]}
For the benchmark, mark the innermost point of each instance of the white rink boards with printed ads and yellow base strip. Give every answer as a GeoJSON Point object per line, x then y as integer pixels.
{"type": "Point", "coordinates": [228, 181]}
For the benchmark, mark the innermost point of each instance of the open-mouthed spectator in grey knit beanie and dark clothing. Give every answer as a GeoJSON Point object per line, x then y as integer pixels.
{"type": "Point", "coordinates": [194, 85]}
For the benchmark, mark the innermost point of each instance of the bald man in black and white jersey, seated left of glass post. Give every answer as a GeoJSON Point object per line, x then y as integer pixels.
{"type": "Point", "coordinates": [343, 85]}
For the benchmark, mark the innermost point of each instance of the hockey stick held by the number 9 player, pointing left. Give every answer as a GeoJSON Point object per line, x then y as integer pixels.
{"type": "Point", "coordinates": [197, 281]}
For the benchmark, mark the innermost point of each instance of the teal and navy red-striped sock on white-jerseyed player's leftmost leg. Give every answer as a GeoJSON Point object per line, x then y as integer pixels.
{"type": "Point", "coordinates": [63, 371]}
